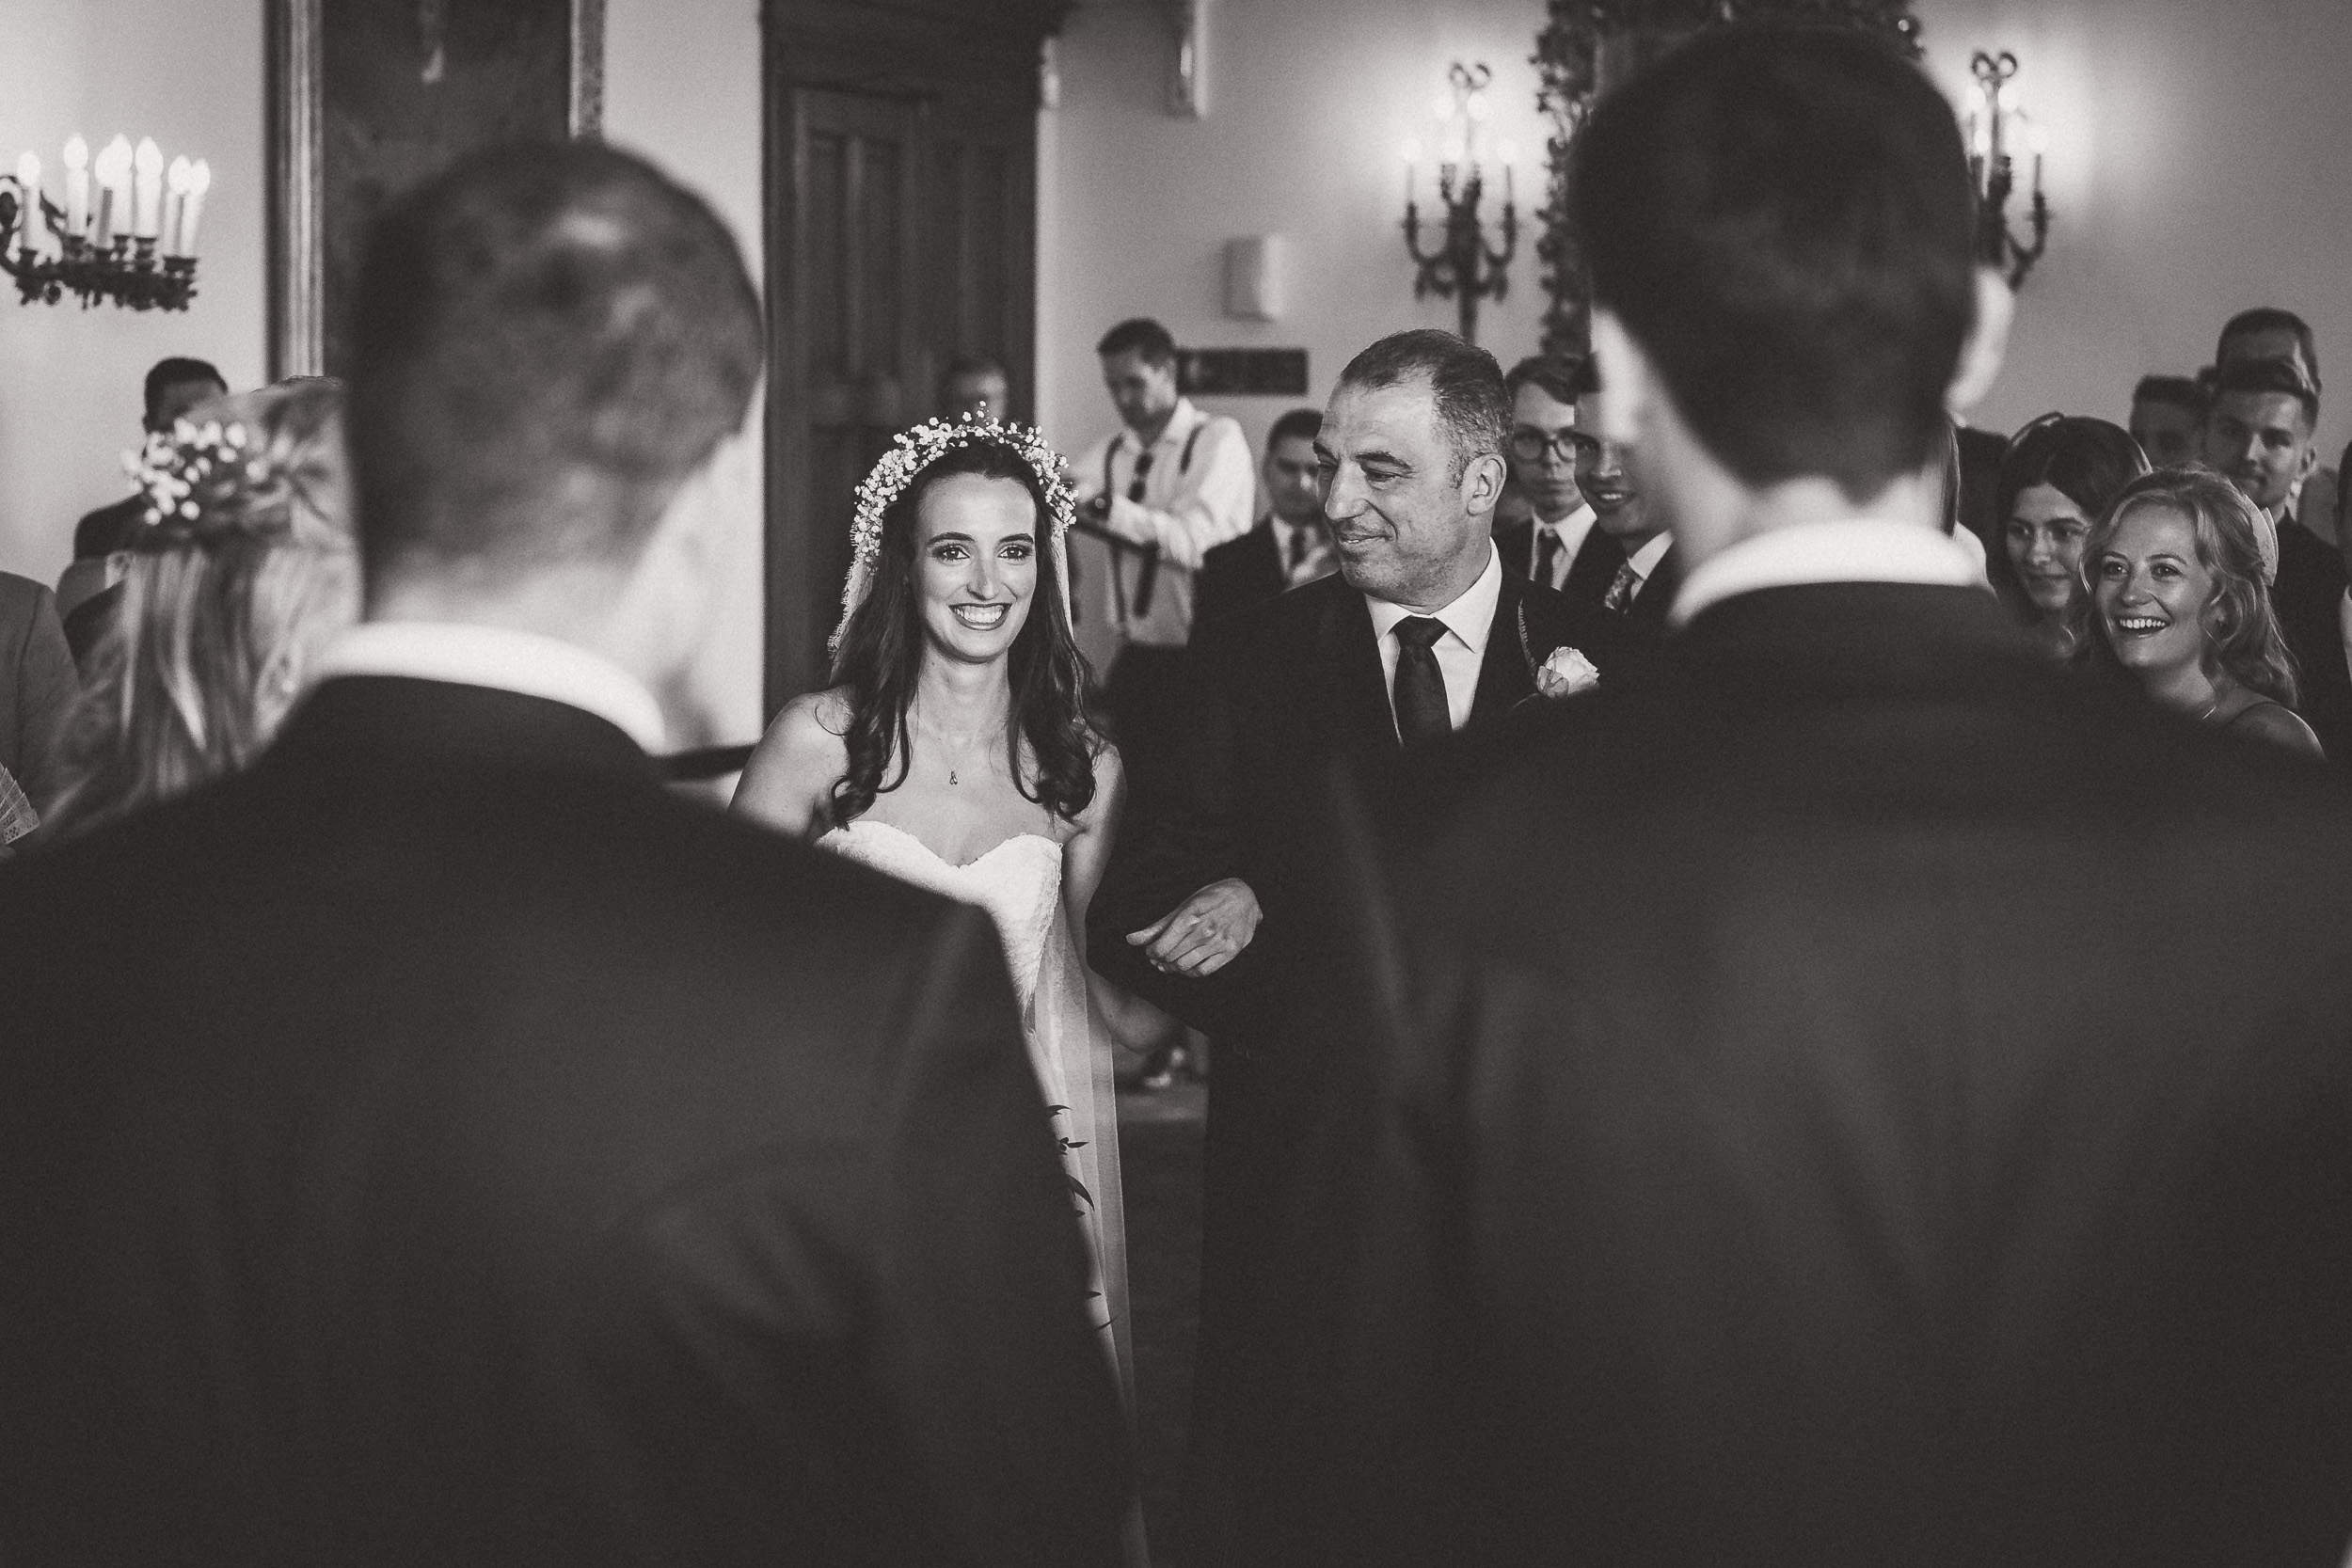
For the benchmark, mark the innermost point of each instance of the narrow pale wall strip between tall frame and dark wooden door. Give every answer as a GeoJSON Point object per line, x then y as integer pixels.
{"type": "Point", "coordinates": [683, 88]}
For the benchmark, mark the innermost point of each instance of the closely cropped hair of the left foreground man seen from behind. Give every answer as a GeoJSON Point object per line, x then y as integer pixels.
{"type": "Point", "coordinates": [549, 344]}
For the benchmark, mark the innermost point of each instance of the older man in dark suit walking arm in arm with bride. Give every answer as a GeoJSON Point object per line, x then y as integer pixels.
{"type": "Point", "coordinates": [1215, 906]}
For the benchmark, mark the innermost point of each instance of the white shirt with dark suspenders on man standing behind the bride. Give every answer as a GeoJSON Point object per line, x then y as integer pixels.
{"type": "Point", "coordinates": [1198, 492]}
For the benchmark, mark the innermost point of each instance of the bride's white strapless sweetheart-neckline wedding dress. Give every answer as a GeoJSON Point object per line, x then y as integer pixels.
{"type": "Point", "coordinates": [1020, 885]}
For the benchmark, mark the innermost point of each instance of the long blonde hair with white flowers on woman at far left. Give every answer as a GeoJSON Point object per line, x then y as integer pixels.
{"type": "Point", "coordinates": [241, 570]}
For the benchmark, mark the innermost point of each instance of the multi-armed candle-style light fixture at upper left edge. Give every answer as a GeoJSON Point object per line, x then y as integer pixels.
{"type": "Point", "coordinates": [133, 248]}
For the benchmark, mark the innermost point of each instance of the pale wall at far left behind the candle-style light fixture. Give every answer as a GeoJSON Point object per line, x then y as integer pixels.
{"type": "Point", "coordinates": [187, 74]}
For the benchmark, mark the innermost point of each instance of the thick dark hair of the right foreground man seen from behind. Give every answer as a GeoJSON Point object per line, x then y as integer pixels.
{"type": "Point", "coordinates": [1784, 220]}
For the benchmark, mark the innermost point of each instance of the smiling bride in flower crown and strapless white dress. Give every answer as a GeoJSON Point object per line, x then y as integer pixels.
{"type": "Point", "coordinates": [954, 751]}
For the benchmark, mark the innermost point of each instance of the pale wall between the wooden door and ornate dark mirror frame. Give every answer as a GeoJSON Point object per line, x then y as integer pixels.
{"type": "Point", "coordinates": [1309, 107]}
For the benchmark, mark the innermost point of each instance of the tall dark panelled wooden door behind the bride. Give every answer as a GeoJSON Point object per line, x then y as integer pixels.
{"type": "Point", "coordinates": [900, 236]}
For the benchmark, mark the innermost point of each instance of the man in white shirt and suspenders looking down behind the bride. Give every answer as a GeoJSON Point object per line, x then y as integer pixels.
{"type": "Point", "coordinates": [1168, 488]}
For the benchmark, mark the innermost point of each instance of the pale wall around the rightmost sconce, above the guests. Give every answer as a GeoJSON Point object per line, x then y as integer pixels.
{"type": "Point", "coordinates": [2200, 163]}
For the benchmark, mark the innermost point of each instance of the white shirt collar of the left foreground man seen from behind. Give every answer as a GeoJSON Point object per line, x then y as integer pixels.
{"type": "Point", "coordinates": [505, 662]}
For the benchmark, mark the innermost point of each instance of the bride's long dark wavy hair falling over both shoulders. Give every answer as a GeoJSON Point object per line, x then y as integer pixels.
{"type": "Point", "coordinates": [883, 650]}
